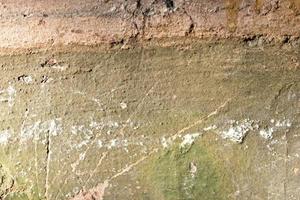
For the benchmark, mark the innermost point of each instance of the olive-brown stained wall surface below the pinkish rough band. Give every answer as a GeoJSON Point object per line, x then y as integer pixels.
{"type": "Point", "coordinates": [207, 120]}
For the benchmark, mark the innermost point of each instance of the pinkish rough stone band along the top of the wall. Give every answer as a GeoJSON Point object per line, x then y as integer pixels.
{"type": "Point", "coordinates": [31, 23]}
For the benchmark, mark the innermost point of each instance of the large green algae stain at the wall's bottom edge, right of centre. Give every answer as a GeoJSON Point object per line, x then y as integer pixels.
{"type": "Point", "coordinates": [186, 175]}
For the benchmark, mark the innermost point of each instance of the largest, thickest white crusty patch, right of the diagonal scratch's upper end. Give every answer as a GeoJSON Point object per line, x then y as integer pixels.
{"type": "Point", "coordinates": [238, 130]}
